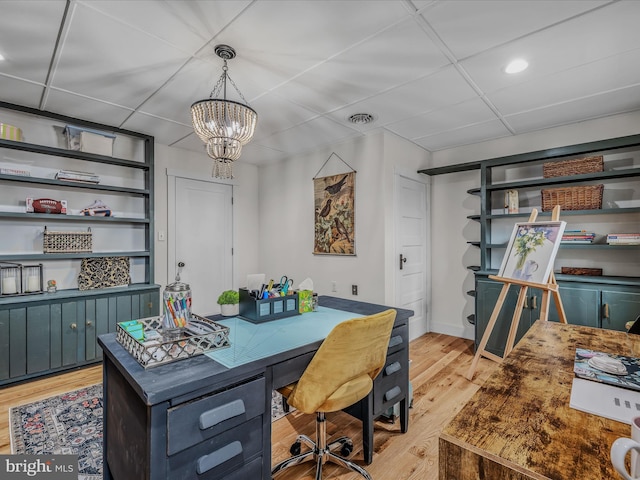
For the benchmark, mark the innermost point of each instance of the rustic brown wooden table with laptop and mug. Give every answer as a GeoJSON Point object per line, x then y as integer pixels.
{"type": "Point", "coordinates": [519, 425]}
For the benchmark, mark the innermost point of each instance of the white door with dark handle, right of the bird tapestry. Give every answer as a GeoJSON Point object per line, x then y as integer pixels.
{"type": "Point", "coordinates": [412, 251]}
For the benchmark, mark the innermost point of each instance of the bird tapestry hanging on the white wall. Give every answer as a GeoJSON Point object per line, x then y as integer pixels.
{"type": "Point", "coordinates": [334, 214]}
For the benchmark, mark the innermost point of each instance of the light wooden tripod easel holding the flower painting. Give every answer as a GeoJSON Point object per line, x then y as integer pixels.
{"type": "Point", "coordinates": [550, 286]}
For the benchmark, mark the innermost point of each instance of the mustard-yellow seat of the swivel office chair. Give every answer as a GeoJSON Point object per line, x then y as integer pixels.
{"type": "Point", "coordinates": [347, 394]}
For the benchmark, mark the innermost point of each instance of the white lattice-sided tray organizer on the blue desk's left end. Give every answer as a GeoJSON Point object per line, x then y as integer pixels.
{"type": "Point", "coordinates": [154, 349]}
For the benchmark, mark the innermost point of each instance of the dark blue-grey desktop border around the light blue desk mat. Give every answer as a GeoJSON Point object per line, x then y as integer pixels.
{"type": "Point", "coordinates": [187, 377]}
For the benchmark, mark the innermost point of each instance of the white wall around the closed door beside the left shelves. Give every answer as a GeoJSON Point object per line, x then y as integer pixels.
{"type": "Point", "coordinates": [245, 208]}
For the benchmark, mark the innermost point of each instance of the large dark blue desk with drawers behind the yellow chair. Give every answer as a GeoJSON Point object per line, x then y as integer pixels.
{"type": "Point", "coordinates": [199, 414]}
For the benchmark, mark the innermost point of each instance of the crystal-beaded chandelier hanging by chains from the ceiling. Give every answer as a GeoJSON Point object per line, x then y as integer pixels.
{"type": "Point", "coordinates": [223, 125]}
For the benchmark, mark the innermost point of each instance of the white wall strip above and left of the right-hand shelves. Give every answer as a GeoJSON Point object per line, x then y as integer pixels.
{"type": "Point", "coordinates": [451, 204]}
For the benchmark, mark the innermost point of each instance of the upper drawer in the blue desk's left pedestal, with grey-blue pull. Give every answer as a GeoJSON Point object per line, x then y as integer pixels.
{"type": "Point", "coordinates": [193, 422]}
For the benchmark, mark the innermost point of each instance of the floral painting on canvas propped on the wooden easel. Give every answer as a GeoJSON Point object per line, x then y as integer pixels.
{"type": "Point", "coordinates": [531, 251]}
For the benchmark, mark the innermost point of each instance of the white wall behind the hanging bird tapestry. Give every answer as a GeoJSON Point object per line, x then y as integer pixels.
{"type": "Point", "coordinates": [287, 216]}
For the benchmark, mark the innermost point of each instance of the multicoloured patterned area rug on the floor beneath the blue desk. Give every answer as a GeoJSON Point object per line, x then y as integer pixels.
{"type": "Point", "coordinates": [72, 424]}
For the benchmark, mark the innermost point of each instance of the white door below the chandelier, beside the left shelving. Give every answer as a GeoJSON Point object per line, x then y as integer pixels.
{"type": "Point", "coordinates": [203, 231]}
